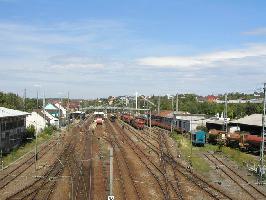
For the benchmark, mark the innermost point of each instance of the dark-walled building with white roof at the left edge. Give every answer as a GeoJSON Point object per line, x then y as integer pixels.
{"type": "Point", "coordinates": [12, 129]}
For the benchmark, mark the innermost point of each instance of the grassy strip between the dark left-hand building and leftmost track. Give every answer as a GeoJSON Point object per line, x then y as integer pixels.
{"type": "Point", "coordinates": [25, 148]}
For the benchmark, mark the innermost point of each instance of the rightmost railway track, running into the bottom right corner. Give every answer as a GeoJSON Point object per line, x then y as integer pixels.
{"type": "Point", "coordinates": [247, 187]}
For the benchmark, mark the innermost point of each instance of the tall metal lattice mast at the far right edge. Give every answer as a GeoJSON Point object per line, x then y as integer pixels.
{"type": "Point", "coordinates": [261, 167]}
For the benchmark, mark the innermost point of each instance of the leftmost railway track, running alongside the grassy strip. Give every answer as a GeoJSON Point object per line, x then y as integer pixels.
{"type": "Point", "coordinates": [22, 167]}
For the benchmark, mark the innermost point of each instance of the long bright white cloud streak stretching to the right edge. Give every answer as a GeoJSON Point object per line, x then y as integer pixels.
{"type": "Point", "coordinates": [205, 60]}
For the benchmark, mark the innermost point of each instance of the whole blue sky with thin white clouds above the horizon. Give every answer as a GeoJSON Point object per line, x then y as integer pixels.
{"type": "Point", "coordinates": [115, 47]}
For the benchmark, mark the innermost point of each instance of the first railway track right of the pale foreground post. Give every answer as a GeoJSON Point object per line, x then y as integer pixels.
{"type": "Point", "coordinates": [114, 142]}
